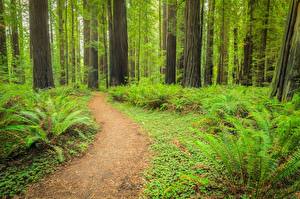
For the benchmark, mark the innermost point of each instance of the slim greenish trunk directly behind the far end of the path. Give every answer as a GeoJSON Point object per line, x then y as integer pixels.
{"type": "Point", "coordinates": [93, 76]}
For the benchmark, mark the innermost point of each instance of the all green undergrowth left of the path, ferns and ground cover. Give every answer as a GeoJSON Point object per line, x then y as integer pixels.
{"type": "Point", "coordinates": [39, 131]}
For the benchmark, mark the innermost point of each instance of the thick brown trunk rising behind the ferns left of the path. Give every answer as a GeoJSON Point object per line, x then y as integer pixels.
{"type": "Point", "coordinates": [39, 34]}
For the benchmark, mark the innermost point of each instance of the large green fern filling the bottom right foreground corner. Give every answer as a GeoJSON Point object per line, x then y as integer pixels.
{"type": "Point", "coordinates": [246, 163]}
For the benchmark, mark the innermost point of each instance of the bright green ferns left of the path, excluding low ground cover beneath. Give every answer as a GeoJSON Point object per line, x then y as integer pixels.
{"type": "Point", "coordinates": [27, 118]}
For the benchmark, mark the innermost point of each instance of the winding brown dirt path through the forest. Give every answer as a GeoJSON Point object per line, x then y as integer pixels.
{"type": "Point", "coordinates": [113, 166]}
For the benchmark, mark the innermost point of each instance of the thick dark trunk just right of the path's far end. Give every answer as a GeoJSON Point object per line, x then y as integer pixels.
{"type": "Point", "coordinates": [119, 71]}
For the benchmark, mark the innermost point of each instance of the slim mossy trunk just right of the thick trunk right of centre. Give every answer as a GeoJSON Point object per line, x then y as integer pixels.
{"type": "Point", "coordinates": [210, 44]}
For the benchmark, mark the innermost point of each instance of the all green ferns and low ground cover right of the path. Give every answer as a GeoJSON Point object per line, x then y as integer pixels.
{"type": "Point", "coordinates": [246, 144]}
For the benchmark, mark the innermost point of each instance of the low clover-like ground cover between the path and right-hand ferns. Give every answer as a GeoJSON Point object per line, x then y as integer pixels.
{"type": "Point", "coordinates": [175, 170]}
